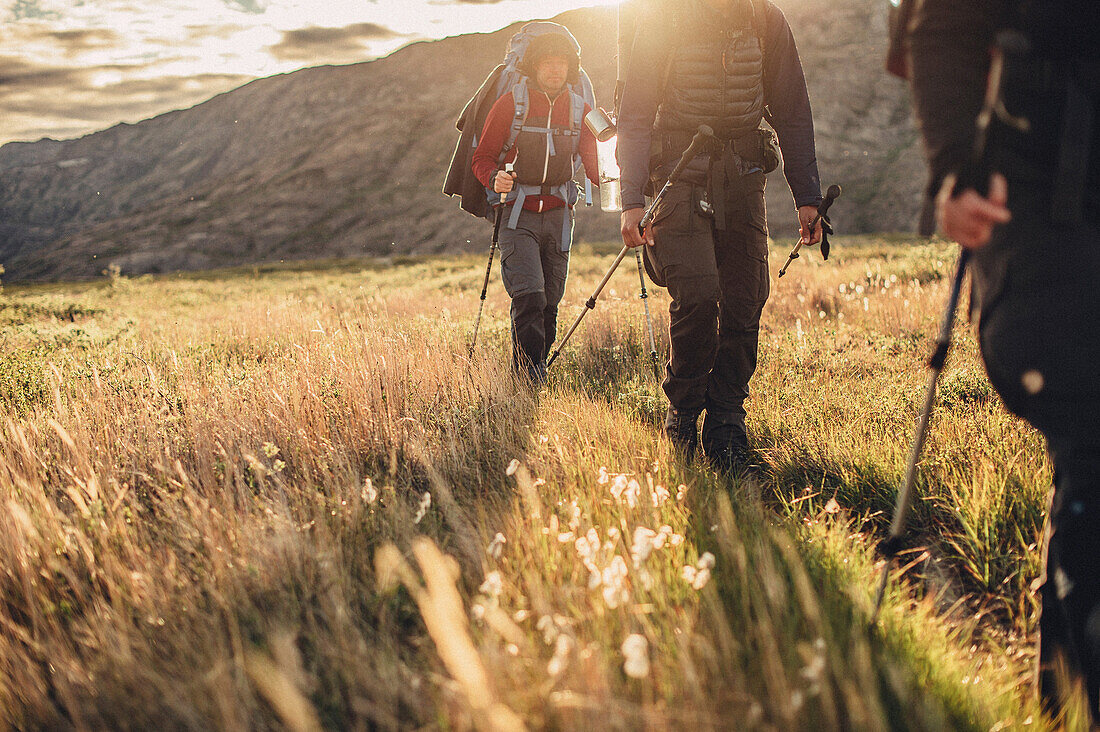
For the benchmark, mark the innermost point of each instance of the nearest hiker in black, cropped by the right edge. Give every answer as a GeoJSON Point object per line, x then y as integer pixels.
{"type": "Point", "coordinates": [1037, 267]}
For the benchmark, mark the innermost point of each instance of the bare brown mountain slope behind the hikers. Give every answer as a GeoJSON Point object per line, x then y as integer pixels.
{"type": "Point", "coordinates": [349, 161]}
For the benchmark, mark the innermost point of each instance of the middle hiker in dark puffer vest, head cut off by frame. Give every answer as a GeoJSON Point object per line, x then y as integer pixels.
{"type": "Point", "coordinates": [719, 63]}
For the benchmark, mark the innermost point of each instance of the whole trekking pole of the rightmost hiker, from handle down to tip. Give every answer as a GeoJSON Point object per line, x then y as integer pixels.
{"type": "Point", "coordinates": [974, 176]}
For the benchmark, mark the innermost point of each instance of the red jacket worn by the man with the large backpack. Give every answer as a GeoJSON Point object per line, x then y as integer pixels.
{"type": "Point", "coordinates": [499, 125]}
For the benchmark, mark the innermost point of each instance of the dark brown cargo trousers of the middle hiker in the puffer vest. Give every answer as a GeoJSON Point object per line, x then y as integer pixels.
{"type": "Point", "coordinates": [716, 268]}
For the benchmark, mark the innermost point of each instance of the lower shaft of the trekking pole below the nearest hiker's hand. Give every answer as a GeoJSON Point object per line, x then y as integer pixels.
{"type": "Point", "coordinates": [892, 547]}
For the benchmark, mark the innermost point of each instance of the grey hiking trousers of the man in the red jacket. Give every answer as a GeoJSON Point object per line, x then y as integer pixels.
{"type": "Point", "coordinates": [534, 269]}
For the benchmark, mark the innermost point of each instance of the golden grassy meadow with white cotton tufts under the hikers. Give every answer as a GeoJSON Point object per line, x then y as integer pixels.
{"type": "Point", "coordinates": [284, 498]}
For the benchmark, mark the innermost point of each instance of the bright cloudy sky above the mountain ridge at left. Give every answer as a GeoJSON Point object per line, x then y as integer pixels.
{"type": "Point", "coordinates": [70, 68]}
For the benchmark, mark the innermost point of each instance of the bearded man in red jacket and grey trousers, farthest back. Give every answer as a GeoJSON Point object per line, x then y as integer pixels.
{"type": "Point", "coordinates": [536, 242]}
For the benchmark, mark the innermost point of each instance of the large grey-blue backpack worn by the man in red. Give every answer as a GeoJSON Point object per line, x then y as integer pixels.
{"type": "Point", "coordinates": [507, 78]}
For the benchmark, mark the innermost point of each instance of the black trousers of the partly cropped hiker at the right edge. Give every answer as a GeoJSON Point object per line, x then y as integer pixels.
{"type": "Point", "coordinates": [1040, 335]}
